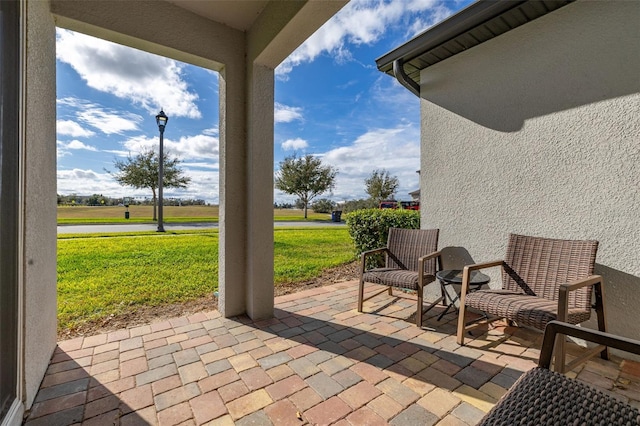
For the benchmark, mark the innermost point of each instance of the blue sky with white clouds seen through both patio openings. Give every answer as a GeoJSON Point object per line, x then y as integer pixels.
{"type": "Point", "coordinates": [331, 101]}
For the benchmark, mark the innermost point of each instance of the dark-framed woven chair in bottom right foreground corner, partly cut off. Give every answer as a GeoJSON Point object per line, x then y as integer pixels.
{"type": "Point", "coordinates": [542, 397]}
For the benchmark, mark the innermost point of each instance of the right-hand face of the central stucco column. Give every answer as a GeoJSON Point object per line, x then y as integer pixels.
{"type": "Point", "coordinates": [259, 297]}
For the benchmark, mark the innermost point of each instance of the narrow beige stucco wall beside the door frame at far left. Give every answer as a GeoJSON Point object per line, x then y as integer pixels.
{"type": "Point", "coordinates": [39, 164]}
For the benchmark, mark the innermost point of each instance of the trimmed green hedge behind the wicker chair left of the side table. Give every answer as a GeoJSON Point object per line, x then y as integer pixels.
{"type": "Point", "coordinates": [368, 228]}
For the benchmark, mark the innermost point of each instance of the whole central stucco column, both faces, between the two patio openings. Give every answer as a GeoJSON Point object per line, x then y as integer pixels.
{"type": "Point", "coordinates": [246, 192]}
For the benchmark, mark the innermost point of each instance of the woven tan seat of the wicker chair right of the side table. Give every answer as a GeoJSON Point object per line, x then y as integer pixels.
{"type": "Point", "coordinates": [523, 309]}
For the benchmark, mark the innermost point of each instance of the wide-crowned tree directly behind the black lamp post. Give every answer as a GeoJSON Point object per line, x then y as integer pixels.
{"type": "Point", "coordinates": [141, 172]}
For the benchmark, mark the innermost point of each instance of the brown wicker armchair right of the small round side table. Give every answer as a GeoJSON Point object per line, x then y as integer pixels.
{"type": "Point", "coordinates": [543, 279]}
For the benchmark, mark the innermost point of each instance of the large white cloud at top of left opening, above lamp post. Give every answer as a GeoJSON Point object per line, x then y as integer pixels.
{"type": "Point", "coordinates": [151, 81]}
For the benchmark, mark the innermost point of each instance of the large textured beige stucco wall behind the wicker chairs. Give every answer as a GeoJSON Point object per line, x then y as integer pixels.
{"type": "Point", "coordinates": [538, 132]}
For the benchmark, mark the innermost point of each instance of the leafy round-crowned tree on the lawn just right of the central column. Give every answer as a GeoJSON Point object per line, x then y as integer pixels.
{"type": "Point", "coordinates": [305, 177]}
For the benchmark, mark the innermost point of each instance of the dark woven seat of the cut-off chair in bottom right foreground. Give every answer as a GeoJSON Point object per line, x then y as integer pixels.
{"type": "Point", "coordinates": [543, 397]}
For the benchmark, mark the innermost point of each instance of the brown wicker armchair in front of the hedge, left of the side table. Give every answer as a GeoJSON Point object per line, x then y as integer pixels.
{"type": "Point", "coordinates": [410, 263]}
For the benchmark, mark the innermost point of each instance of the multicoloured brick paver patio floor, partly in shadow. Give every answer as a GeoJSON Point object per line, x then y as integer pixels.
{"type": "Point", "coordinates": [318, 361]}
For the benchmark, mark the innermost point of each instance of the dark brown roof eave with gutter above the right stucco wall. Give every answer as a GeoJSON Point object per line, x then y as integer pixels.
{"type": "Point", "coordinates": [477, 23]}
